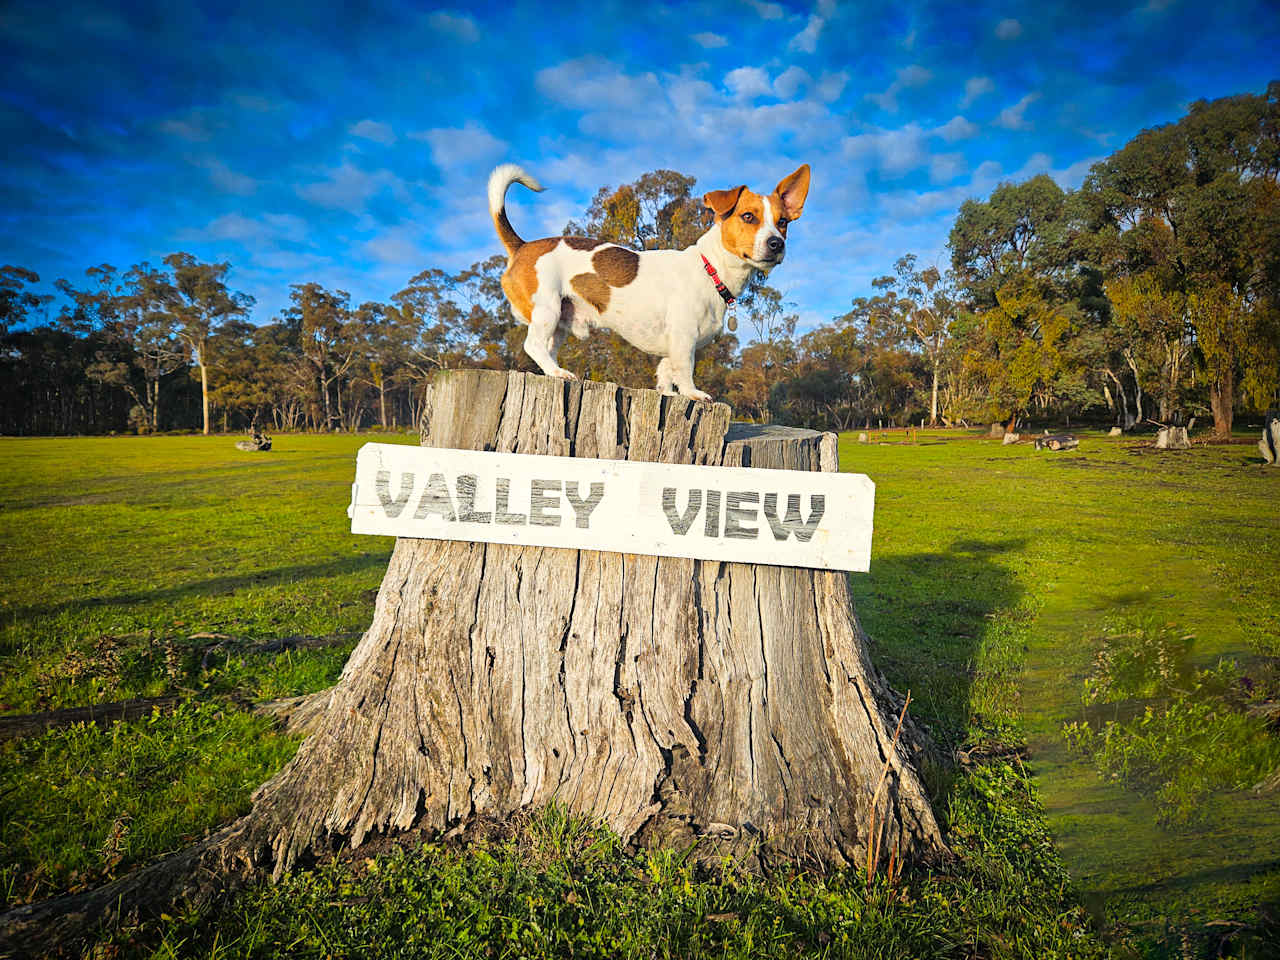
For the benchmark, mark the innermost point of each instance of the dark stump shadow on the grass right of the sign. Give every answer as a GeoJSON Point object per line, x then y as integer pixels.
{"type": "Point", "coordinates": [927, 615]}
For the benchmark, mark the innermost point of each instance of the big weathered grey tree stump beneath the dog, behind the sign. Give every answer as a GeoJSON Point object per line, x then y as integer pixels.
{"type": "Point", "coordinates": [676, 701]}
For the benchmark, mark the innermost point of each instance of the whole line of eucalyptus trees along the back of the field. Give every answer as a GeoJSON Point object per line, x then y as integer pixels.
{"type": "Point", "coordinates": [1151, 294]}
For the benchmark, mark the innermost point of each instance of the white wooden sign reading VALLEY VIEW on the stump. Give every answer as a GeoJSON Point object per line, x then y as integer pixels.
{"type": "Point", "coordinates": [788, 518]}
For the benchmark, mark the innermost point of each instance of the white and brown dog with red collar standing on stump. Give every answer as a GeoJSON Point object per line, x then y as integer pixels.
{"type": "Point", "coordinates": [666, 303]}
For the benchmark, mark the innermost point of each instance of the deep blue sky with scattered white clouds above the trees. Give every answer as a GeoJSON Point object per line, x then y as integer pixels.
{"type": "Point", "coordinates": [350, 145]}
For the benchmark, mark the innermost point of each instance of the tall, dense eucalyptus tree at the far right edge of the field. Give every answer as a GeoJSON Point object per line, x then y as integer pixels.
{"type": "Point", "coordinates": [1194, 205]}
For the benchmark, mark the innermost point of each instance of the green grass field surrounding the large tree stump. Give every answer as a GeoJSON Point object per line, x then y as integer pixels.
{"type": "Point", "coordinates": [999, 578]}
